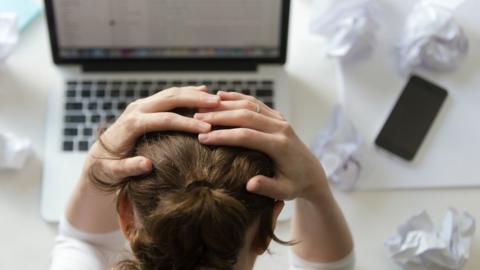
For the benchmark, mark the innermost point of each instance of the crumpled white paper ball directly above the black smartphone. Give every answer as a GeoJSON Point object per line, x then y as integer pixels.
{"type": "Point", "coordinates": [432, 38]}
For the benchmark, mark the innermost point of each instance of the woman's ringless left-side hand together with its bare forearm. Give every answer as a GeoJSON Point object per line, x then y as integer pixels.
{"type": "Point", "coordinates": [93, 211]}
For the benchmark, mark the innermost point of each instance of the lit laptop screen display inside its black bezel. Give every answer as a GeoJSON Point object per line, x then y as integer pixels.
{"type": "Point", "coordinates": [106, 29]}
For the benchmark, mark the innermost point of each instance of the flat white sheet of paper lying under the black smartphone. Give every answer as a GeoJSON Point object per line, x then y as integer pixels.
{"type": "Point", "coordinates": [449, 155]}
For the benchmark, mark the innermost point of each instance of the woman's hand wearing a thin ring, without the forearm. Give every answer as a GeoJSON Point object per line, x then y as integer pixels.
{"type": "Point", "coordinates": [299, 173]}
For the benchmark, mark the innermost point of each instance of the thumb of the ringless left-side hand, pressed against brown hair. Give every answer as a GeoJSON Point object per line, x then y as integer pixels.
{"type": "Point", "coordinates": [117, 169]}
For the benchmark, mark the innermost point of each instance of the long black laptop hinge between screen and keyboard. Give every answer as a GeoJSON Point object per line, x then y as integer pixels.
{"type": "Point", "coordinates": [169, 67]}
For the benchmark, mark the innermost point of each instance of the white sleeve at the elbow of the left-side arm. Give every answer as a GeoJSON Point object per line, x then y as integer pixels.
{"type": "Point", "coordinates": [77, 250]}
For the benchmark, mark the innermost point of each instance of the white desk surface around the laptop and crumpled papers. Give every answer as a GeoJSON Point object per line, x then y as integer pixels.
{"type": "Point", "coordinates": [24, 82]}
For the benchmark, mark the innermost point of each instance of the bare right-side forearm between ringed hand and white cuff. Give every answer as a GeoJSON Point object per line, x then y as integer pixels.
{"type": "Point", "coordinates": [320, 227]}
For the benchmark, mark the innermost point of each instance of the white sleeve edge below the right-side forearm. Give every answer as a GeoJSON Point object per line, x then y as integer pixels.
{"type": "Point", "coordinates": [297, 263]}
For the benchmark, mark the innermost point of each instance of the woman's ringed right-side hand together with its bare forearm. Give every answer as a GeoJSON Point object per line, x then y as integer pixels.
{"type": "Point", "coordinates": [317, 223]}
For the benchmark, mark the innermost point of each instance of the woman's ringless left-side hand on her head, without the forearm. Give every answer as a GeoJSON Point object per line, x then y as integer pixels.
{"type": "Point", "coordinates": [143, 116]}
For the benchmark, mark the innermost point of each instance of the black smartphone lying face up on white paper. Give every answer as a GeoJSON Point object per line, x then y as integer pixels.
{"type": "Point", "coordinates": [411, 118]}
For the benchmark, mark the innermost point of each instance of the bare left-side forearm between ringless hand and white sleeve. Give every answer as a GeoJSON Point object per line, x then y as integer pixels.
{"type": "Point", "coordinates": [90, 209]}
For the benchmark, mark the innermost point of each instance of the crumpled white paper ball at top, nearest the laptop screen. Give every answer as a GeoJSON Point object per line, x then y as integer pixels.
{"type": "Point", "coordinates": [350, 27]}
